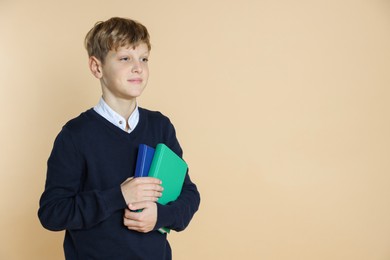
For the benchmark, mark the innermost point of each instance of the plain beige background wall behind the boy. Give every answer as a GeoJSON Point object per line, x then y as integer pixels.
{"type": "Point", "coordinates": [282, 108]}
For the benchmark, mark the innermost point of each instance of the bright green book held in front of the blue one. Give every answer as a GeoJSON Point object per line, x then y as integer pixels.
{"type": "Point", "coordinates": [171, 170]}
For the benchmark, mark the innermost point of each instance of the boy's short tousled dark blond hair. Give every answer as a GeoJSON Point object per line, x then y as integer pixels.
{"type": "Point", "coordinates": [114, 33]}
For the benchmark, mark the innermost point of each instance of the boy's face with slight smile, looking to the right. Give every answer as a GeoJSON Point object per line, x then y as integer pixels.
{"type": "Point", "coordinates": [125, 72]}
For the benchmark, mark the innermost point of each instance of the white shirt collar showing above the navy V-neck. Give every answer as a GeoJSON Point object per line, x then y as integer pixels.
{"type": "Point", "coordinates": [113, 117]}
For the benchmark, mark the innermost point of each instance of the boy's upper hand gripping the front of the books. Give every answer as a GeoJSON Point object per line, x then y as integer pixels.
{"type": "Point", "coordinates": [141, 189]}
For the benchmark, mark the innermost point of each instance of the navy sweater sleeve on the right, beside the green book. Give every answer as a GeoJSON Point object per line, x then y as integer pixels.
{"type": "Point", "coordinates": [177, 215]}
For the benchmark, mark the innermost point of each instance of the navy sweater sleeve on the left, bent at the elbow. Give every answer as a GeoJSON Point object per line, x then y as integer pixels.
{"type": "Point", "coordinates": [62, 205]}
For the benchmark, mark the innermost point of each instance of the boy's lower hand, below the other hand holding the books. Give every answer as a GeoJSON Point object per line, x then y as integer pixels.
{"type": "Point", "coordinates": [143, 221]}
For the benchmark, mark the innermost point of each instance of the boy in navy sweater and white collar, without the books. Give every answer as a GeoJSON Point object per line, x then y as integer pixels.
{"type": "Point", "coordinates": [89, 191]}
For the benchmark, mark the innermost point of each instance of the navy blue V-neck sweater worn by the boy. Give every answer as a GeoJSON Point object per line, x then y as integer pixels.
{"type": "Point", "coordinates": [90, 159]}
